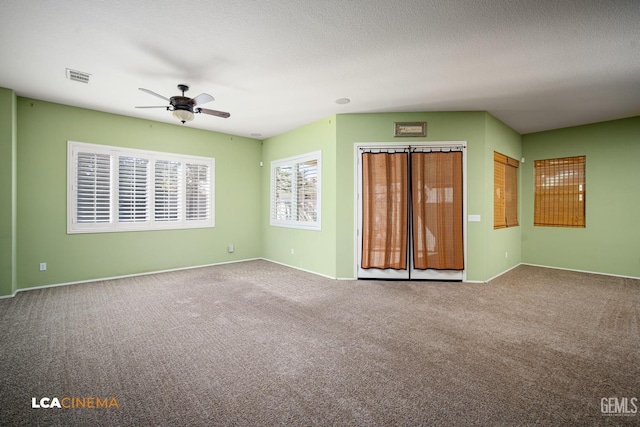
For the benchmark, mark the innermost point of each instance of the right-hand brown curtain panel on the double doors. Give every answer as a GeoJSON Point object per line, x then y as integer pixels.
{"type": "Point", "coordinates": [436, 180]}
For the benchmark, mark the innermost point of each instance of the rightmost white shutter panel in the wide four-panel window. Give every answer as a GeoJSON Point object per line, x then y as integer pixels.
{"type": "Point", "coordinates": [198, 194]}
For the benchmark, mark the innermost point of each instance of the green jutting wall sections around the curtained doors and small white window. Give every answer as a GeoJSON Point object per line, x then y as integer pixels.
{"type": "Point", "coordinates": [332, 250]}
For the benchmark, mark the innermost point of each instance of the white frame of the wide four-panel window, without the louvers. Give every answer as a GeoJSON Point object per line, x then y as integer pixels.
{"type": "Point", "coordinates": [113, 224]}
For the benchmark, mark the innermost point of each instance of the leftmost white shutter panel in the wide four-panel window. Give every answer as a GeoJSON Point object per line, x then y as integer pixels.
{"type": "Point", "coordinates": [93, 188]}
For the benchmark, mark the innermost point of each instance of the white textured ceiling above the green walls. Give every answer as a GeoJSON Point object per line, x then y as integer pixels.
{"type": "Point", "coordinates": [277, 65]}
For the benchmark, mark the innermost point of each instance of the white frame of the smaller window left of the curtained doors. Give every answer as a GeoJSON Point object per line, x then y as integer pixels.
{"type": "Point", "coordinates": [294, 162]}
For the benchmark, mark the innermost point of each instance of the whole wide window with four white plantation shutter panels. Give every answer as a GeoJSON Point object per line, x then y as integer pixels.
{"type": "Point", "coordinates": [117, 189]}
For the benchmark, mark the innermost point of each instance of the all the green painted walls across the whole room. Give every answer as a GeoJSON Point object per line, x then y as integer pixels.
{"type": "Point", "coordinates": [33, 185]}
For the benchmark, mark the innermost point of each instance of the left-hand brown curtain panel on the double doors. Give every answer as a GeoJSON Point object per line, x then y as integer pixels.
{"type": "Point", "coordinates": [385, 195]}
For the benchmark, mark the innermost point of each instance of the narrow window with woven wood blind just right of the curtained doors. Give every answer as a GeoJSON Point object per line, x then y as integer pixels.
{"type": "Point", "coordinates": [505, 191]}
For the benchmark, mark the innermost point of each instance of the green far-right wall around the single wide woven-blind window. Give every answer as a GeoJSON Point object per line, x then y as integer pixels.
{"type": "Point", "coordinates": [610, 243]}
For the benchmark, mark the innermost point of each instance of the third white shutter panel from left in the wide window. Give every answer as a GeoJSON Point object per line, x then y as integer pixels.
{"type": "Point", "coordinates": [167, 190]}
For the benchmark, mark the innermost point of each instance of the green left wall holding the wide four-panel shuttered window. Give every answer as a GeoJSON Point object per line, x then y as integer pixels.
{"type": "Point", "coordinates": [44, 129]}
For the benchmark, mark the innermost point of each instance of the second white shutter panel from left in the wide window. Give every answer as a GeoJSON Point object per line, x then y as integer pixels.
{"type": "Point", "coordinates": [133, 189]}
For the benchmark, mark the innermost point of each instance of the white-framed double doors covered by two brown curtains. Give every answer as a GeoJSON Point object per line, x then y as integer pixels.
{"type": "Point", "coordinates": [411, 205]}
